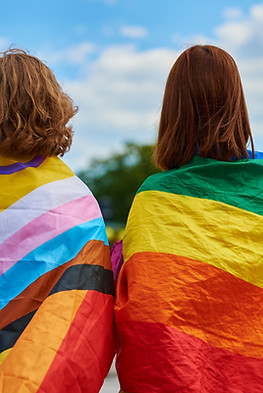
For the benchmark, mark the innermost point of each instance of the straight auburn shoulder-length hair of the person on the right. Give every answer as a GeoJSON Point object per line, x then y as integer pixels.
{"type": "Point", "coordinates": [204, 110]}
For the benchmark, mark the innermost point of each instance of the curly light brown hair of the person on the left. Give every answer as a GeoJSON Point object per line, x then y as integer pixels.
{"type": "Point", "coordinates": [34, 111]}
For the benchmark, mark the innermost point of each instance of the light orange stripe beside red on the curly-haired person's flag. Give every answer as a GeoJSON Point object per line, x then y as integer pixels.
{"type": "Point", "coordinates": [36, 348]}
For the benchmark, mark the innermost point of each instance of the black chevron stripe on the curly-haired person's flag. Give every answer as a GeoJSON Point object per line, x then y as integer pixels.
{"type": "Point", "coordinates": [83, 277]}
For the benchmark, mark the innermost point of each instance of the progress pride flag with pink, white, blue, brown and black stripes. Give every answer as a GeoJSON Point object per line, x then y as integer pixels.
{"type": "Point", "coordinates": [56, 281]}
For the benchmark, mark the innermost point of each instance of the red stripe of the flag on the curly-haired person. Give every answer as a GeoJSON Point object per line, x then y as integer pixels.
{"type": "Point", "coordinates": [85, 355]}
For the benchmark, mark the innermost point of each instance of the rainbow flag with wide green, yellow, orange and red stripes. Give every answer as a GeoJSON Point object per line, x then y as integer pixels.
{"type": "Point", "coordinates": [189, 298]}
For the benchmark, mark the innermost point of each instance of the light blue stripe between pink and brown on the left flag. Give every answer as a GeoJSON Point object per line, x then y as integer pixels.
{"type": "Point", "coordinates": [48, 256]}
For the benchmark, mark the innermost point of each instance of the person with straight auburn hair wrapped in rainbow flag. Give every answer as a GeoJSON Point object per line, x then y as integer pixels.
{"type": "Point", "coordinates": [190, 291]}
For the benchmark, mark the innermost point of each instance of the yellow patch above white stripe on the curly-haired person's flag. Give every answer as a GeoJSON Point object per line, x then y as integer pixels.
{"type": "Point", "coordinates": [17, 185]}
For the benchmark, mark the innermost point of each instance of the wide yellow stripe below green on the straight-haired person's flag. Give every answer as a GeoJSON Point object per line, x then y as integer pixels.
{"type": "Point", "coordinates": [216, 233]}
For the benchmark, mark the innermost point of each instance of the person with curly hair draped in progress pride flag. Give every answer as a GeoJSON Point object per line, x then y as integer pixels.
{"type": "Point", "coordinates": [56, 281]}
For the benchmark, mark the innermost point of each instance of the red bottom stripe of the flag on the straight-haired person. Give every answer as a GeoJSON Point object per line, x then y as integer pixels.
{"type": "Point", "coordinates": [159, 359]}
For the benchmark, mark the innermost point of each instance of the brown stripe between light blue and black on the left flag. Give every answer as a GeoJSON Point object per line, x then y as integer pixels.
{"type": "Point", "coordinates": [93, 253]}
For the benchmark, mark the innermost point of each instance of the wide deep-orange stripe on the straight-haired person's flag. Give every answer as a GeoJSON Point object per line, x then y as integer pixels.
{"type": "Point", "coordinates": [193, 297]}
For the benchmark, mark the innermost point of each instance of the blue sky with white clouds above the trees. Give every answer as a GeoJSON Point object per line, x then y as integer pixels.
{"type": "Point", "coordinates": [112, 57]}
